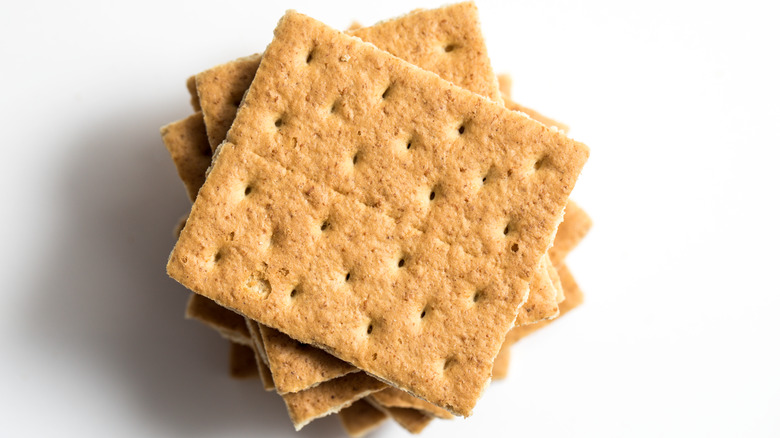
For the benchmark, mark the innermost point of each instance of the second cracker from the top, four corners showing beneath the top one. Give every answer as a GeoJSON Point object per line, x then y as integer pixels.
{"type": "Point", "coordinates": [427, 38]}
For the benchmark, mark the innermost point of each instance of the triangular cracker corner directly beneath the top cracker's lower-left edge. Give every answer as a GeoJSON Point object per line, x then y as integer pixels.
{"type": "Point", "coordinates": [296, 366]}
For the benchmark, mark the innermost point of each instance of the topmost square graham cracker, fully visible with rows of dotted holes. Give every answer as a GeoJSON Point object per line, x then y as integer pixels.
{"type": "Point", "coordinates": [360, 204]}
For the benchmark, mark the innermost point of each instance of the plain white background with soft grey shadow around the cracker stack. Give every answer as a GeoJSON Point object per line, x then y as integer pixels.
{"type": "Point", "coordinates": [679, 102]}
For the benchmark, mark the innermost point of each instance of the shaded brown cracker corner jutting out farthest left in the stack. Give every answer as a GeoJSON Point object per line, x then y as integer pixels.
{"type": "Point", "coordinates": [186, 142]}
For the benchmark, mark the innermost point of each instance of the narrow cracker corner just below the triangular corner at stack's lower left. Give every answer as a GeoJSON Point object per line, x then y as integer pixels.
{"type": "Point", "coordinates": [329, 397]}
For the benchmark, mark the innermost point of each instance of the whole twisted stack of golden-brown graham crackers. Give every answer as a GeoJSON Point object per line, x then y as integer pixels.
{"type": "Point", "coordinates": [374, 220]}
